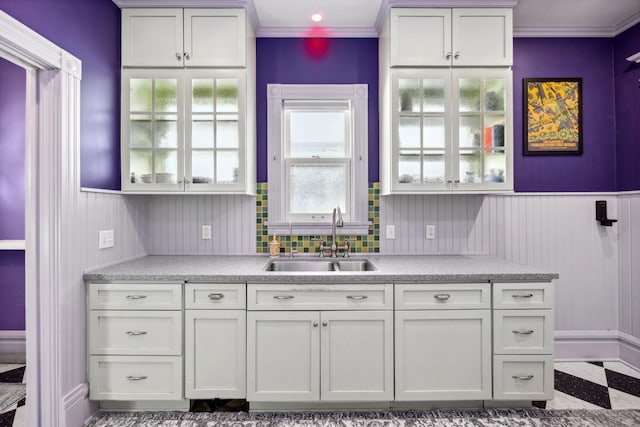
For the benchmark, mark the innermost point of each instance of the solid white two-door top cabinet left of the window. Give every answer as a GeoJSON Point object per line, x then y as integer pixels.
{"type": "Point", "coordinates": [166, 37]}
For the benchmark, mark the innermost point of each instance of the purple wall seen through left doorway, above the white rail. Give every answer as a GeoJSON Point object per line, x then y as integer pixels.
{"type": "Point", "coordinates": [12, 160]}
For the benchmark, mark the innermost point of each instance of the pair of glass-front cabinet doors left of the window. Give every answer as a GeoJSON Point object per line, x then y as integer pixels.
{"type": "Point", "coordinates": [183, 131]}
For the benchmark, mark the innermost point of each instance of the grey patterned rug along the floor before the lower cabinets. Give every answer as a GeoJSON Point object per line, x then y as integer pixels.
{"type": "Point", "coordinates": [436, 418]}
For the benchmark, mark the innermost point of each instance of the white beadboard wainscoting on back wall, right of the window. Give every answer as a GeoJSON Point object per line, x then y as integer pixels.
{"type": "Point", "coordinates": [555, 232]}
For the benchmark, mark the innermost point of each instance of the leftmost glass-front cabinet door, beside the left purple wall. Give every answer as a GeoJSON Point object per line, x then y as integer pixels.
{"type": "Point", "coordinates": [152, 155]}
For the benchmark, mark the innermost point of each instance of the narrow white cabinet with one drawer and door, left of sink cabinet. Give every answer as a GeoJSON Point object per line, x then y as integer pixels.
{"type": "Point", "coordinates": [215, 341]}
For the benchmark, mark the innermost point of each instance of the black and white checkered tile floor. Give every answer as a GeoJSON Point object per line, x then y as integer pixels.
{"type": "Point", "coordinates": [578, 385]}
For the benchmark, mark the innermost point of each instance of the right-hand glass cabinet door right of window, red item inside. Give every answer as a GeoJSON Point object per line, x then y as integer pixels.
{"type": "Point", "coordinates": [482, 130]}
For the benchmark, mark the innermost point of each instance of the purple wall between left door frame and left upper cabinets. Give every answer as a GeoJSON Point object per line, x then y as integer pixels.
{"type": "Point", "coordinates": [89, 30]}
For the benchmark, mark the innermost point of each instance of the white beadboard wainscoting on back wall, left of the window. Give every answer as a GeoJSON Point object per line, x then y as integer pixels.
{"type": "Point", "coordinates": [173, 225]}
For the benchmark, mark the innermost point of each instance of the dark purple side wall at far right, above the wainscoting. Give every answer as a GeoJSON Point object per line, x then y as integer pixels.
{"type": "Point", "coordinates": [627, 92]}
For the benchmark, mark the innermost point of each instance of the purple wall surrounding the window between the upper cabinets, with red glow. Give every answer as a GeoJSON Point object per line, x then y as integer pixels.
{"type": "Point", "coordinates": [313, 61]}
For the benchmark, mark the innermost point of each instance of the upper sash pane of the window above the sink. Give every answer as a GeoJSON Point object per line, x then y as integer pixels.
{"type": "Point", "coordinates": [317, 134]}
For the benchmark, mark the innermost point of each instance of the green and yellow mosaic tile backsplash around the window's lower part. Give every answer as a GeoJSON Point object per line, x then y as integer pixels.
{"type": "Point", "coordinates": [304, 244]}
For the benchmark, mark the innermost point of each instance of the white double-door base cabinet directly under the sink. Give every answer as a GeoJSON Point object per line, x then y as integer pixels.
{"type": "Point", "coordinates": [317, 355]}
